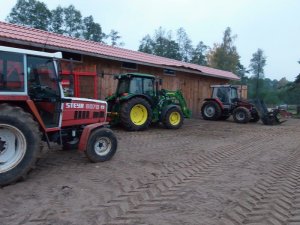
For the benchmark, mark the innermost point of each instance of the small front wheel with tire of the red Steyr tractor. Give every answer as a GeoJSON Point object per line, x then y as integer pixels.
{"type": "Point", "coordinates": [106, 147]}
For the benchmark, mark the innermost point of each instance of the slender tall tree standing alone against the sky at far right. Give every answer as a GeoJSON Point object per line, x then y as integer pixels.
{"type": "Point", "coordinates": [257, 64]}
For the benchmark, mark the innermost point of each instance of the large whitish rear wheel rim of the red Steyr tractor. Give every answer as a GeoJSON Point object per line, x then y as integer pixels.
{"type": "Point", "coordinates": [12, 147]}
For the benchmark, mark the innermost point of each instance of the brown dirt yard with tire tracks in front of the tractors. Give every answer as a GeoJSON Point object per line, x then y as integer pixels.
{"type": "Point", "coordinates": [206, 173]}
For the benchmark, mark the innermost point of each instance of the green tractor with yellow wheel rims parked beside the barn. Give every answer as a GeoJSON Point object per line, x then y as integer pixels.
{"type": "Point", "coordinates": [138, 102]}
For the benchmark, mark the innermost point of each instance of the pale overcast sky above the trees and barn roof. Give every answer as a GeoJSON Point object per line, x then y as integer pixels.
{"type": "Point", "coordinates": [271, 25]}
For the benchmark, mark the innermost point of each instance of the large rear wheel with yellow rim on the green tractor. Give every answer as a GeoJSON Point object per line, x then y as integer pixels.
{"type": "Point", "coordinates": [143, 119]}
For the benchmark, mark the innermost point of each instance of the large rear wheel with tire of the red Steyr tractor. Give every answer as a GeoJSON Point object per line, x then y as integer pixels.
{"type": "Point", "coordinates": [18, 133]}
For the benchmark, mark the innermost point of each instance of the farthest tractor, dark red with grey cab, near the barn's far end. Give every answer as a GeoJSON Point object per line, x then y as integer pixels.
{"type": "Point", "coordinates": [225, 102]}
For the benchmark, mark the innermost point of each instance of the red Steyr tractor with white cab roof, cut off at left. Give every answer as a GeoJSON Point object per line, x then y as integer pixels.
{"type": "Point", "coordinates": [33, 108]}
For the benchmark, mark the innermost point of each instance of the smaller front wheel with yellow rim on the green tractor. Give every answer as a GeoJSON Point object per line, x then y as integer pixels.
{"type": "Point", "coordinates": [173, 118]}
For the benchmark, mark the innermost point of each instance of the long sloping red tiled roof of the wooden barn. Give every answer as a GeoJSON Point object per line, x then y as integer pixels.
{"type": "Point", "coordinates": [34, 37]}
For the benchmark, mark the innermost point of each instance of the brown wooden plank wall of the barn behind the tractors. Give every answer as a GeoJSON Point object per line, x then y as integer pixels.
{"type": "Point", "coordinates": [195, 87]}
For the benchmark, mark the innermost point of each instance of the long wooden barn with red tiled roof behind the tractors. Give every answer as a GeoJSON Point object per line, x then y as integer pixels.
{"type": "Point", "coordinates": [91, 59]}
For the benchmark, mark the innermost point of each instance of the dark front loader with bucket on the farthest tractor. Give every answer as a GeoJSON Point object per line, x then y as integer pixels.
{"type": "Point", "coordinates": [267, 117]}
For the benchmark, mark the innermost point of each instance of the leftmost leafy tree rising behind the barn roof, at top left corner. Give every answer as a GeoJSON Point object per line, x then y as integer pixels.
{"type": "Point", "coordinates": [30, 13]}
